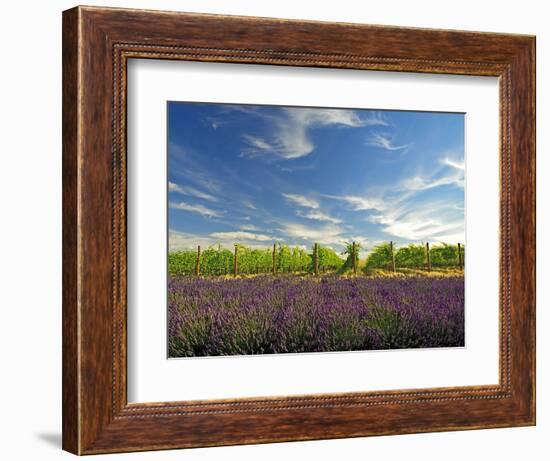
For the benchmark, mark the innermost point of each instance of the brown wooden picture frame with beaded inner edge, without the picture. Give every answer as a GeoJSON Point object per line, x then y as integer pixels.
{"type": "Point", "coordinates": [97, 43]}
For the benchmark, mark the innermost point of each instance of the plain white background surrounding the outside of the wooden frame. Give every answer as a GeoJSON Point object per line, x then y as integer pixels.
{"type": "Point", "coordinates": [30, 227]}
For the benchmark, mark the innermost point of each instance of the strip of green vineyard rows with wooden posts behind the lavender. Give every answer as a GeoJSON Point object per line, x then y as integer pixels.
{"type": "Point", "coordinates": [283, 259]}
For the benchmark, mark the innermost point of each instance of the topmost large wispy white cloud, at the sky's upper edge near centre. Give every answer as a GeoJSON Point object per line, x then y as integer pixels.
{"type": "Point", "coordinates": [291, 130]}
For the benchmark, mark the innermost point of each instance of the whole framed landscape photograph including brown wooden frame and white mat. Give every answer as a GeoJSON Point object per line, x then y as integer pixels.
{"type": "Point", "coordinates": [284, 230]}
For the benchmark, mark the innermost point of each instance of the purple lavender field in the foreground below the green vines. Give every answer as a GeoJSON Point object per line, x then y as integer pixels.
{"type": "Point", "coordinates": [291, 314]}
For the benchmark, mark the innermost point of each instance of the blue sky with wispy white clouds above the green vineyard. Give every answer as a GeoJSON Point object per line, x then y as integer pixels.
{"type": "Point", "coordinates": [262, 174]}
